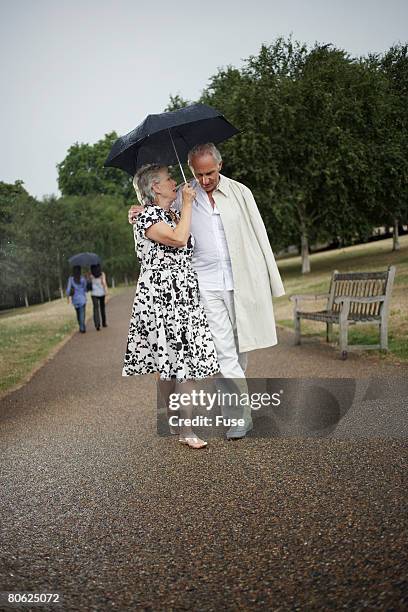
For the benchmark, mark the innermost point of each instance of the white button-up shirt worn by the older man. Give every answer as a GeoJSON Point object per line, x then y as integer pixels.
{"type": "Point", "coordinates": [211, 258]}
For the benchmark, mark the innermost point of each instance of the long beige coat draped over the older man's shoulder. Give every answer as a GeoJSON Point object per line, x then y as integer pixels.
{"type": "Point", "coordinates": [256, 275]}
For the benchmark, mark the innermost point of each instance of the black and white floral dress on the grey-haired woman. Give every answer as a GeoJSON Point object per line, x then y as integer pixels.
{"type": "Point", "coordinates": [168, 330]}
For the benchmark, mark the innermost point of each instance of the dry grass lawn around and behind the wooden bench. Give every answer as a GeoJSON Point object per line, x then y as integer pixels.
{"type": "Point", "coordinates": [372, 256]}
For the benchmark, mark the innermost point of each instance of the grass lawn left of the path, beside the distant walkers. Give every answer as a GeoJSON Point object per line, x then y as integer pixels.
{"type": "Point", "coordinates": [28, 335]}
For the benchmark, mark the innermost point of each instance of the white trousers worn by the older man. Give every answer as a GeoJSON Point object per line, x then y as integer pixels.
{"type": "Point", "coordinates": [220, 311]}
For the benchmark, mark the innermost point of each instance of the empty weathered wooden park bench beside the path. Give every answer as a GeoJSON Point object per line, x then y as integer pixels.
{"type": "Point", "coordinates": [354, 297]}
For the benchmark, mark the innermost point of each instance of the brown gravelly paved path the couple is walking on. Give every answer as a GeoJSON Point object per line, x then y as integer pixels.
{"type": "Point", "coordinates": [97, 507]}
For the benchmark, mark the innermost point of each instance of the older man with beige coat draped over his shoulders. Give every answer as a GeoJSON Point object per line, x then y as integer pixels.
{"type": "Point", "coordinates": [236, 269]}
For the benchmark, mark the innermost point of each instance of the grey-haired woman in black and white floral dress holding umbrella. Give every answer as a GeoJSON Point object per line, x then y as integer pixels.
{"type": "Point", "coordinates": [168, 330]}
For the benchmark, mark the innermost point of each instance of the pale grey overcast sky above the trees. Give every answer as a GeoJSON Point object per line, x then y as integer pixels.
{"type": "Point", "coordinates": [74, 70]}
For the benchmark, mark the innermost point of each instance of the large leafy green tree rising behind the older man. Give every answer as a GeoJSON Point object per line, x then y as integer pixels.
{"type": "Point", "coordinates": [308, 122]}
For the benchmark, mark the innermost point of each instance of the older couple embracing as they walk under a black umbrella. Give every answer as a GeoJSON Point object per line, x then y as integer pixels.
{"type": "Point", "coordinates": [207, 277]}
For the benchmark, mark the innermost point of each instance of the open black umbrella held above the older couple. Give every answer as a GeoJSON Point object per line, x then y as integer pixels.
{"type": "Point", "coordinates": [167, 138]}
